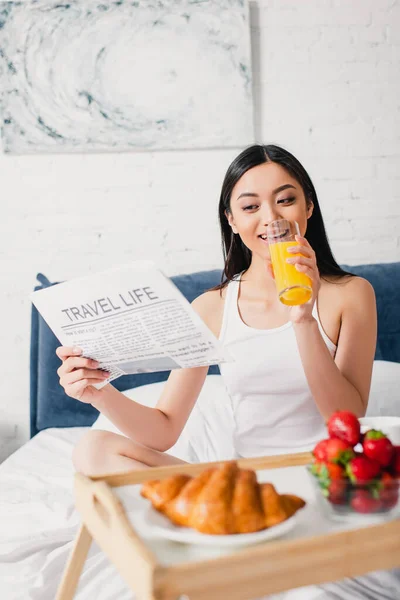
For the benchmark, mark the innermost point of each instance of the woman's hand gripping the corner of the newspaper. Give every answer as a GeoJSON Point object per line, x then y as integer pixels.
{"type": "Point", "coordinates": [78, 374]}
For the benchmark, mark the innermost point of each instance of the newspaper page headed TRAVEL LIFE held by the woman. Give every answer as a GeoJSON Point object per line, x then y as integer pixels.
{"type": "Point", "coordinates": [131, 319]}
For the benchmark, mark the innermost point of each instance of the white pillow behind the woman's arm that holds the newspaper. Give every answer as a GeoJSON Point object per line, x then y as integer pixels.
{"type": "Point", "coordinates": [207, 435]}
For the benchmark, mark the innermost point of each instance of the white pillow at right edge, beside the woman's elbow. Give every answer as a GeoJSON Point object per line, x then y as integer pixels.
{"type": "Point", "coordinates": [384, 397]}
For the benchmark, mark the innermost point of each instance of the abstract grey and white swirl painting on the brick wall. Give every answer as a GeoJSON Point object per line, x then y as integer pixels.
{"type": "Point", "coordinates": [87, 76]}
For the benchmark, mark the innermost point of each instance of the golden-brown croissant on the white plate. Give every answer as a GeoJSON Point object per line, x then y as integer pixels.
{"type": "Point", "coordinates": [221, 501]}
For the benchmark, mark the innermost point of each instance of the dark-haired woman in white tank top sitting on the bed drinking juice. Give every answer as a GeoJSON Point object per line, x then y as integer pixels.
{"type": "Point", "coordinates": [293, 366]}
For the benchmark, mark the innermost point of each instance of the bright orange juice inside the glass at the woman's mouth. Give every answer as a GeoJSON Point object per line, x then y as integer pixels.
{"type": "Point", "coordinates": [293, 287]}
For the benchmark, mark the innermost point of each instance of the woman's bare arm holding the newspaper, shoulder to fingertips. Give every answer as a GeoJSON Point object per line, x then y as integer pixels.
{"type": "Point", "coordinates": [157, 428]}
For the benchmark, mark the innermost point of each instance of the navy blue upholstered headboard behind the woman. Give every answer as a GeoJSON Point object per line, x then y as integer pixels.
{"type": "Point", "coordinates": [51, 407]}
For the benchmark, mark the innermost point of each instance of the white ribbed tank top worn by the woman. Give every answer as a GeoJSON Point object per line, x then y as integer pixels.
{"type": "Point", "coordinates": [273, 409]}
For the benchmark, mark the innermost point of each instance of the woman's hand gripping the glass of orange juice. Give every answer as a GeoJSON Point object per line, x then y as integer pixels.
{"type": "Point", "coordinates": [307, 264]}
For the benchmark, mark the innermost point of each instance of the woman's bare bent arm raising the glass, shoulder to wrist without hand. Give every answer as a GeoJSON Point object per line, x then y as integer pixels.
{"type": "Point", "coordinates": [342, 383]}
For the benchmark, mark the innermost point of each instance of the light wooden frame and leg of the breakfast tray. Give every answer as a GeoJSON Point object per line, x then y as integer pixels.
{"type": "Point", "coordinates": [247, 573]}
